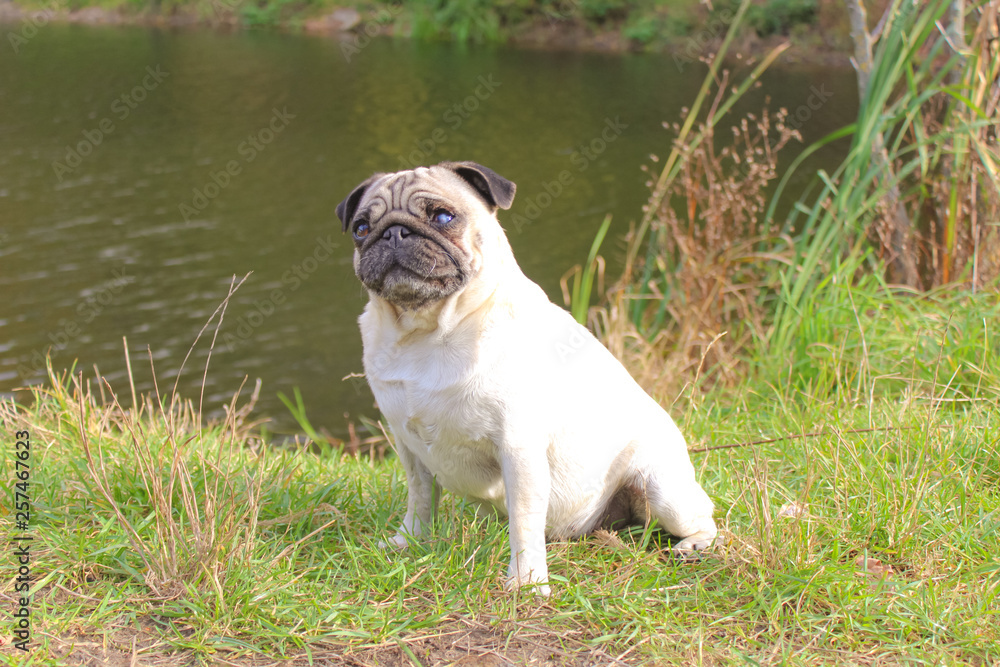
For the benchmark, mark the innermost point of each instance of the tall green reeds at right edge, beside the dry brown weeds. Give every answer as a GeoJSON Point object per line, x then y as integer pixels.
{"type": "Point", "coordinates": [914, 62]}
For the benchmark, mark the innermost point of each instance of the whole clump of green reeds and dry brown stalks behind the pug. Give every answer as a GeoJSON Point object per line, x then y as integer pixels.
{"type": "Point", "coordinates": [713, 277]}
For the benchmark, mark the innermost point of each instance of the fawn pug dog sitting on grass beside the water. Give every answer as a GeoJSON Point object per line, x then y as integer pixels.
{"type": "Point", "coordinates": [495, 393]}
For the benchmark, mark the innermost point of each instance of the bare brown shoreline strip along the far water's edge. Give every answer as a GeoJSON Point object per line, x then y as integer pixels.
{"type": "Point", "coordinates": [349, 27]}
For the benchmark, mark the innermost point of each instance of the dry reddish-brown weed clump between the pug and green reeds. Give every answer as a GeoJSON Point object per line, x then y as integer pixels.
{"type": "Point", "coordinates": [711, 264]}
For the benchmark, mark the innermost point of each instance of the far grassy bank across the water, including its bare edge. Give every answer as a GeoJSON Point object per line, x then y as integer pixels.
{"type": "Point", "coordinates": [817, 25]}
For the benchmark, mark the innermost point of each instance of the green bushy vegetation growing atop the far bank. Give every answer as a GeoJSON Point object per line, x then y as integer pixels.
{"type": "Point", "coordinates": [642, 22]}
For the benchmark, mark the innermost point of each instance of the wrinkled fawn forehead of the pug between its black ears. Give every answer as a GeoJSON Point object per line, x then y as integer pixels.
{"type": "Point", "coordinates": [415, 191]}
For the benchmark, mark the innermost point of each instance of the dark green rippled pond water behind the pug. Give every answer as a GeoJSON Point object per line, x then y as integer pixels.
{"type": "Point", "coordinates": [141, 169]}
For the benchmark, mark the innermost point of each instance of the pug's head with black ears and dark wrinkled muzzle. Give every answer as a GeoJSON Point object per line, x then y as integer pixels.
{"type": "Point", "coordinates": [419, 234]}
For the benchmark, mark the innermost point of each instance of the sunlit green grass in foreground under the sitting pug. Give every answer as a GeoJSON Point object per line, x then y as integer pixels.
{"type": "Point", "coordinates": [257, 551]}
